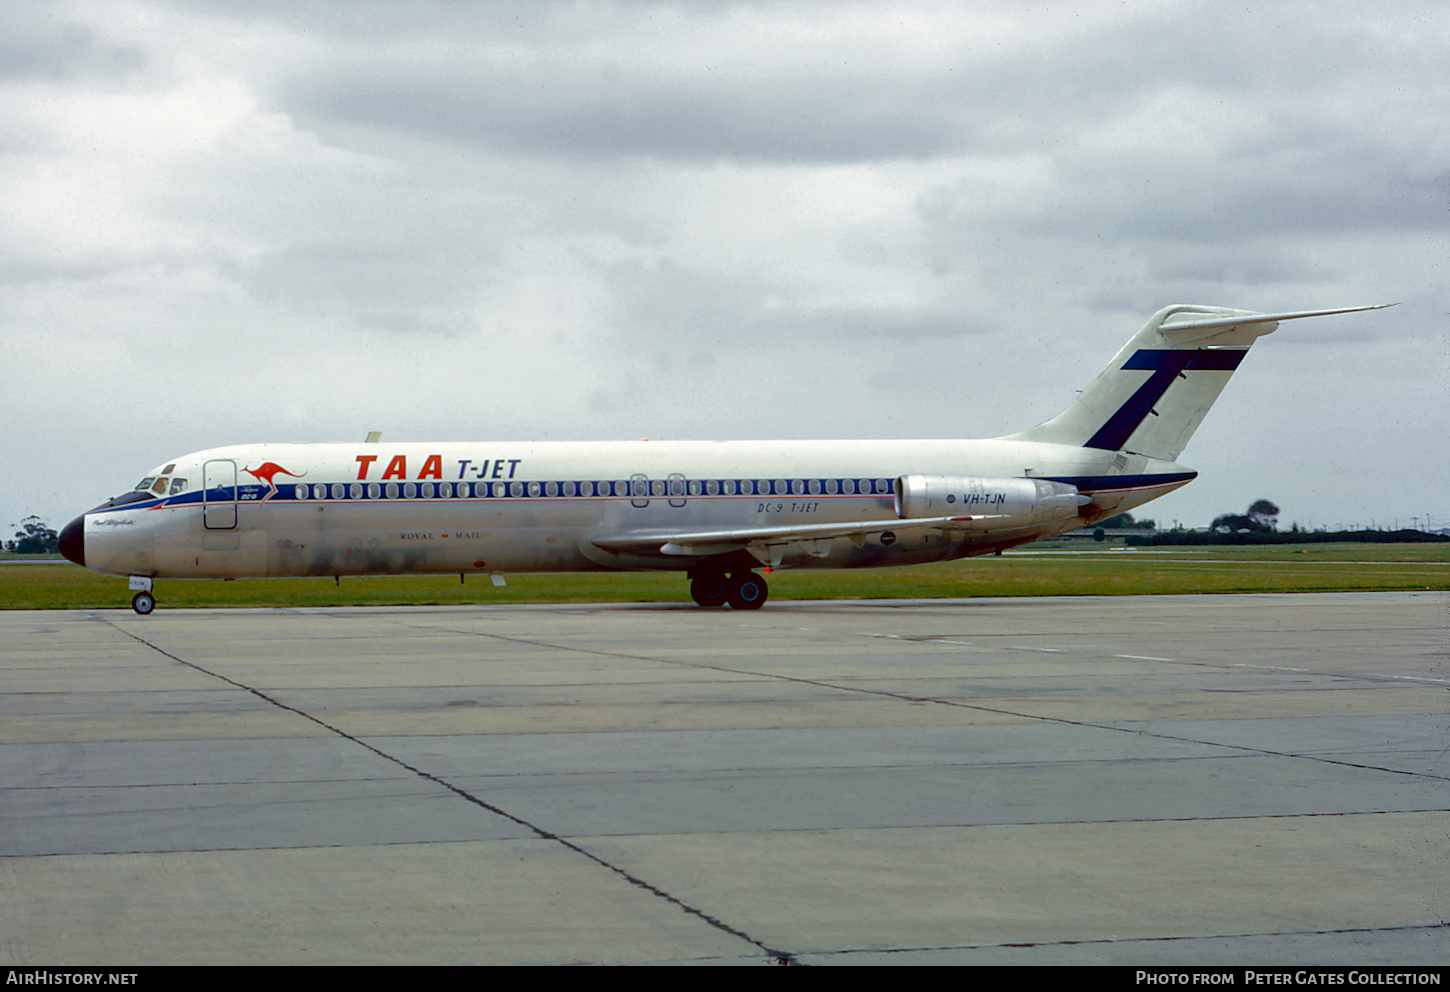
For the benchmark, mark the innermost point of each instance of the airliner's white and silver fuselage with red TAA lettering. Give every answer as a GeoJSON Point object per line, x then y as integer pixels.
{"type": "Point", "coordinates": [347, 510]}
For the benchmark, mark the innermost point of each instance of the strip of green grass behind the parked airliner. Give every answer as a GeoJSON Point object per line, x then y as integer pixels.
{"type": "Point", "coordinates": [1042, 571]}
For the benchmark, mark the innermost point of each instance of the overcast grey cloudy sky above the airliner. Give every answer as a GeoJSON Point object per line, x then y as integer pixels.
{"type": "Point", "coordinates": [581, 221]}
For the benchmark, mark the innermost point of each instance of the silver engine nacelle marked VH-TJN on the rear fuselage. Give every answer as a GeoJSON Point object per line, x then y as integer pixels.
{"type": "Point", "coordinates": [1003, 504]}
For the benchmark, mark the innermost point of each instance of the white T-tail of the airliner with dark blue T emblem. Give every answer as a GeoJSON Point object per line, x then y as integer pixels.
{"type": "Point", "coordinates": [1155, 392]}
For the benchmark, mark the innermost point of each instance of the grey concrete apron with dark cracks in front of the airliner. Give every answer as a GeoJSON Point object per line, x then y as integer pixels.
{"type": "Point", "coordinates": [1129, 781]}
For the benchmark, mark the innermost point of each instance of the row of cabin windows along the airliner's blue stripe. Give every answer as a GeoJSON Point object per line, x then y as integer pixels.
{"type": "Point", "coordinates": [623, 488]}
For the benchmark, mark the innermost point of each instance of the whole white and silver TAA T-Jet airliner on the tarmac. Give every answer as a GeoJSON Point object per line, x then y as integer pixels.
{"type": "Point", "coordinates": [713, 510]}
